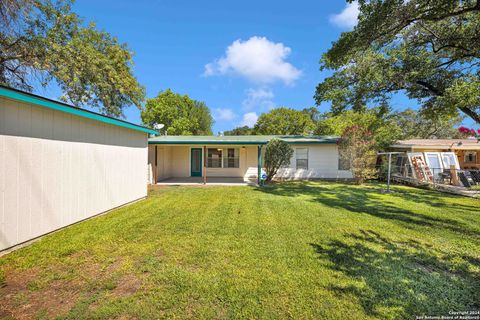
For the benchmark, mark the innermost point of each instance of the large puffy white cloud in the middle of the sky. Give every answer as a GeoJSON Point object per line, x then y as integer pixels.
{"type": "Point", "coordinates": [257, 59]}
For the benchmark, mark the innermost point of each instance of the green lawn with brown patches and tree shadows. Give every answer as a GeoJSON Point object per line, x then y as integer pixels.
{"type": "Point", "coordinates": [296, 250]}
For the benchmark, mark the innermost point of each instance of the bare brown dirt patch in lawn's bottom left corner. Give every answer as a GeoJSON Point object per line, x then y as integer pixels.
{"type": "Point", "coordinates": [56, 289]}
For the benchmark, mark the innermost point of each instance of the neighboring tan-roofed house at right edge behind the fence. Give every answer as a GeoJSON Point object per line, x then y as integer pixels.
{"type": "Point", "coordinates": [467, 151]}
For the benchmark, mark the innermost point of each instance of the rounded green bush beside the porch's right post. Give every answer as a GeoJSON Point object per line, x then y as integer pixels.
{"type": "Point", "coordinates": [277, 154]}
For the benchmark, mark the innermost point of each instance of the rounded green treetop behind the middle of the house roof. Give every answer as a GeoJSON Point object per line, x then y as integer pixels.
{"type": "Point", "coordinates": [284, 121]}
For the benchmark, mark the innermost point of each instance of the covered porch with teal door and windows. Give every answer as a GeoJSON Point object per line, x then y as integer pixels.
{"type": "Point", "coordinates": [178, 162]}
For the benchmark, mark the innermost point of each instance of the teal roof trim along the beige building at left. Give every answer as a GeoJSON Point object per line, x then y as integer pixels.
{"type": "Point", "coordinates": [63, 107]}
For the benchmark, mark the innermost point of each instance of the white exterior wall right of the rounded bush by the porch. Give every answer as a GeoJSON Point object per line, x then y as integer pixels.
{"type": "Point", "coordinates": [322, 164]}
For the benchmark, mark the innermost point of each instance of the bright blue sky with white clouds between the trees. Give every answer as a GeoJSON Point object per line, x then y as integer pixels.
{"type": "Point", "coordinates": [241, 57]}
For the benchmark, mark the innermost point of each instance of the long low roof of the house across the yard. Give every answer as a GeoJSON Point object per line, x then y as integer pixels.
{"type": "Point", "coordinates": [241, 140]}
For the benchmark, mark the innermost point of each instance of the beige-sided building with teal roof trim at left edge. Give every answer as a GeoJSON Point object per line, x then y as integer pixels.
{"type": "Point", "coordinates": [60, 164]}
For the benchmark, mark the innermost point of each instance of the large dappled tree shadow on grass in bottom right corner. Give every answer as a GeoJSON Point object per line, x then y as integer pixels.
{"type": "Point", "coordinates": [400, 279]}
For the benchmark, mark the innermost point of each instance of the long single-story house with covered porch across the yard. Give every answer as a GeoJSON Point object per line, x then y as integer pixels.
{"type": "Point", "coordinates": [314, 157]}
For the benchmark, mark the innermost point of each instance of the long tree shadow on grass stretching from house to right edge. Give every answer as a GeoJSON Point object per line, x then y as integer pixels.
{"type": "Point", "coordinates": [369, 200]}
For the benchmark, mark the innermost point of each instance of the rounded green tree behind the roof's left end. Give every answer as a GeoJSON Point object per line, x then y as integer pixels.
{"type": "Point", "coordinates": [180, 114]}
